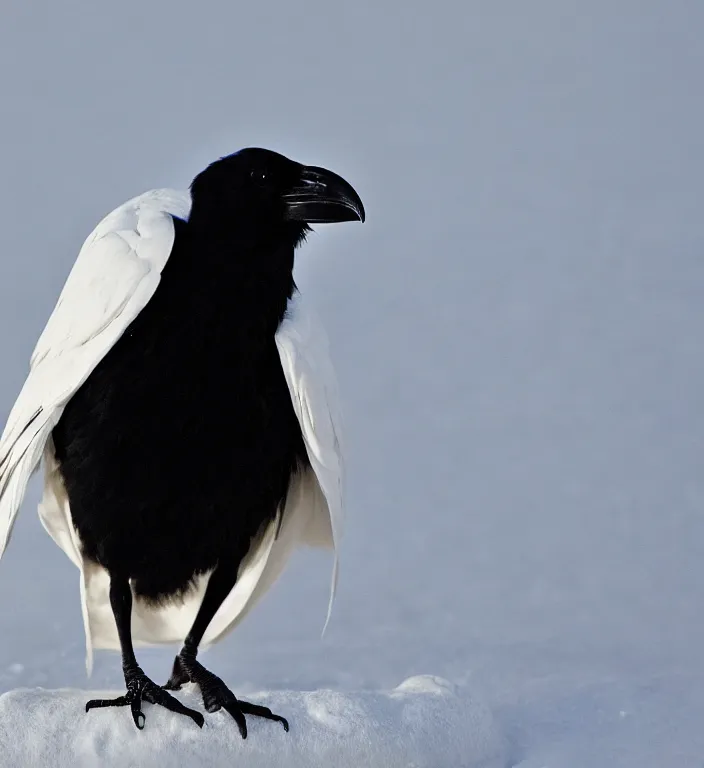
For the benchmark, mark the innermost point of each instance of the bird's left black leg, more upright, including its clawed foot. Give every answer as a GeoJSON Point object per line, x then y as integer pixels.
{"type": "Point", "coordinates": [139, 686]}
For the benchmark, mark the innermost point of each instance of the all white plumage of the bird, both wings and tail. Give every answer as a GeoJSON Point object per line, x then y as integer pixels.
{"type": "Point", "coordinates": [117, 272]}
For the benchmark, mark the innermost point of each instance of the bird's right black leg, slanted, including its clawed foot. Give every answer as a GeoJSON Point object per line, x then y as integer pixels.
{"type": "Point", "coordinates": [216, 695]}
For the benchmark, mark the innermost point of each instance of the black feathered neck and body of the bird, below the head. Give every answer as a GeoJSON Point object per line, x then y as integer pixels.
{"type": "Point", "coordinates": [182, 441]}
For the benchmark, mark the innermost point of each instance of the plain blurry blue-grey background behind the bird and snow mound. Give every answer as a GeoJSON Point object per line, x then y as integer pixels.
{"type": "Point", "coordinates": [517, 327]}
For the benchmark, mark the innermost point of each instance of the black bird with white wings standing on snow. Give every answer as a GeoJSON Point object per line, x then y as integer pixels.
{"type": "Point", "coordinates": [183, 405]}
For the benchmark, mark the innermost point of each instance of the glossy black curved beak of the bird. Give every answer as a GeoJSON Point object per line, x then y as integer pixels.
{"type": "Point", "coordinates": [322, 197]}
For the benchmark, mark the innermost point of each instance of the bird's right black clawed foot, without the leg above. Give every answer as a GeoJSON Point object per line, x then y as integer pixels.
{"type": "Point", "coordinates": [216, 695]}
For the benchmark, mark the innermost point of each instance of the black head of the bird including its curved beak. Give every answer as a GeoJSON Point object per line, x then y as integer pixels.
{"type": "Point", "coordinates": [263, 190]}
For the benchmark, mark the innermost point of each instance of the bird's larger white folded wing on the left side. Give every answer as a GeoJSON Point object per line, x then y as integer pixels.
{"type": "Point", "coordinates": [115, 275]}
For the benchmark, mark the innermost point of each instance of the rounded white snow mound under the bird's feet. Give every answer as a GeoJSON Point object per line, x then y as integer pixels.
{"type": "Point", "coordinates": [423, 723]}
